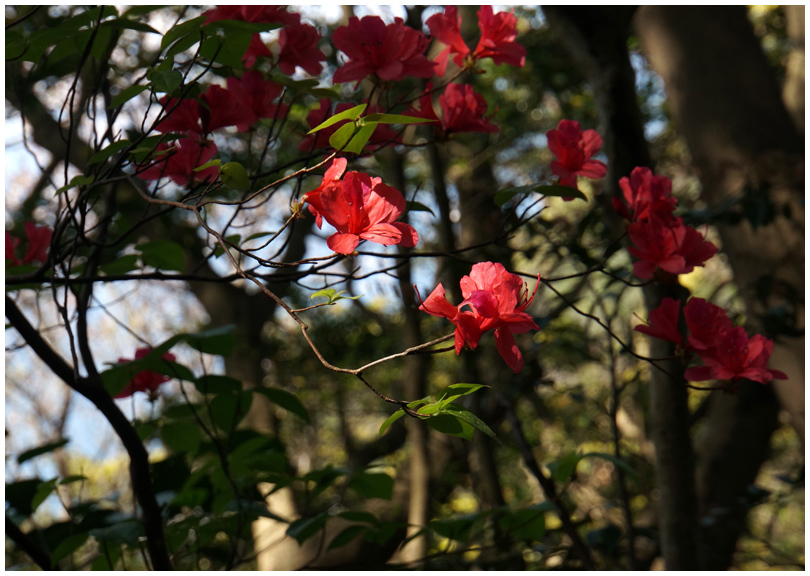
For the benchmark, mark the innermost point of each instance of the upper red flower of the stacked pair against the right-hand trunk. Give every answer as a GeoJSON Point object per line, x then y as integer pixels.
{"type": "Point", "coordinates": [647, 195]}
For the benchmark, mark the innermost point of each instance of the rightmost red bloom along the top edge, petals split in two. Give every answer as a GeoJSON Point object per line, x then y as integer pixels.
{"type": "Point", "coordinates": [498, 33]}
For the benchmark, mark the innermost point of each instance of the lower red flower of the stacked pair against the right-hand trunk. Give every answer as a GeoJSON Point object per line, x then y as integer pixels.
{"type": "Point", "coordinates": [671, 246]}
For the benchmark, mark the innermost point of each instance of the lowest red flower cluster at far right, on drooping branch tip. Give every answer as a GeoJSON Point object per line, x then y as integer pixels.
{"type": "Point", "coordinates": [726, 350]}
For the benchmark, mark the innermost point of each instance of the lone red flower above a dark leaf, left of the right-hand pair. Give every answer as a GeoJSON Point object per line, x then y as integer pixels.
{"type": "Point", "coordinates": [573, 149]}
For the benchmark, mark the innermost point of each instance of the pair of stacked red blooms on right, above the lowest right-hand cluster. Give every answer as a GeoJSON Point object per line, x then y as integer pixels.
{"type": "Point", "coordinates": [661, 240]}
